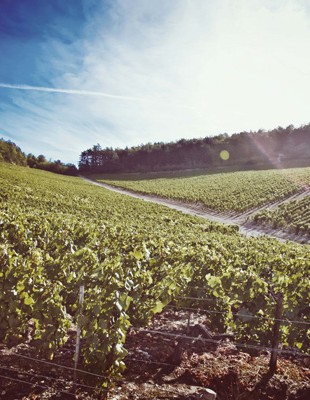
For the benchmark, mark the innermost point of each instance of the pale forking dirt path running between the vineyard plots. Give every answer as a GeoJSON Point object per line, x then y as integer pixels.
{"type": "Point", "coordinates": [235, 219]}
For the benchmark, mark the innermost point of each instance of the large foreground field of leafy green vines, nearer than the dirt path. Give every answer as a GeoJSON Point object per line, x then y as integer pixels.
{"type": "Point", "coordinates": [133, 258]}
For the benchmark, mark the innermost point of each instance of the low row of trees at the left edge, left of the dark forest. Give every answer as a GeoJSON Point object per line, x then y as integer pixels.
{"type": "Point", "coordinates": [11, 153]}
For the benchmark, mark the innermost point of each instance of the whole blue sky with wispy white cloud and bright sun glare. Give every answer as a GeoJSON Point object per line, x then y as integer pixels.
{"type": "Point", "coordinates": [74, 73]}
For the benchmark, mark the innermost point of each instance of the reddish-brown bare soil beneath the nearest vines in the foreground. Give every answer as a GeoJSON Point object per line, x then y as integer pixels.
{"type": "Point", "coordinates": [157, 369]}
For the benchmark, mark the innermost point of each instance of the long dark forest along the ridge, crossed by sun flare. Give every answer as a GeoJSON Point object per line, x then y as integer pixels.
{"type": "Point", "coordinates": [277, 148]}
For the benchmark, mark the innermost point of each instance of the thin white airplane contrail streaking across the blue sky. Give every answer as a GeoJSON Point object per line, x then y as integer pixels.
{"type": "Point", "coordinates": [85, 93]}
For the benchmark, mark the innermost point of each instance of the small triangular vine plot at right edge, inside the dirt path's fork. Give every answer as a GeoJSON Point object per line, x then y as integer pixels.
{"type": "Point", "coordinates": [293, 216]}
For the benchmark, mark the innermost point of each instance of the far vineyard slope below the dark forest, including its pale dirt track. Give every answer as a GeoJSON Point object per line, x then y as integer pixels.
{"type": "Point", "coordinates": [274, 202]}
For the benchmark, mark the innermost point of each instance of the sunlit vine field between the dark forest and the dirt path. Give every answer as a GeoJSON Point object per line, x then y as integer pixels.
{"type": "Point", "coordinates": [222, 192]}
